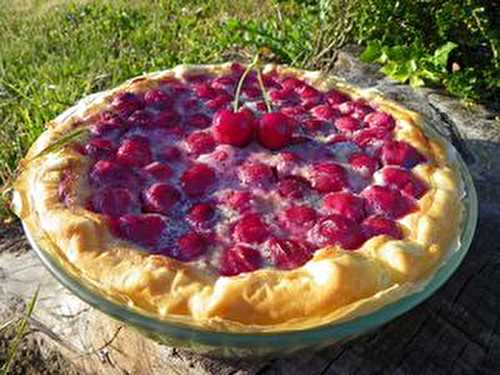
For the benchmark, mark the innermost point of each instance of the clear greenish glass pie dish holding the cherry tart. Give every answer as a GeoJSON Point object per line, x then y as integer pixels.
{"type": "Point", "coordinates": [227, 344]}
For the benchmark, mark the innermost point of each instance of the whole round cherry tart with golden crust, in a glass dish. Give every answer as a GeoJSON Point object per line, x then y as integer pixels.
{"type": "Point", "coordinates": [306, 202]}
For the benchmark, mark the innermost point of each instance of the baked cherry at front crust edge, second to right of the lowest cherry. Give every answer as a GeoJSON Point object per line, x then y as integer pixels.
{"type": "Point", "coordinates": [338, 230]}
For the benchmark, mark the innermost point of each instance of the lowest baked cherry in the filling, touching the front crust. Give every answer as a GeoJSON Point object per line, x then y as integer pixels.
{"type": "Point", "coordinates": [239, 259]}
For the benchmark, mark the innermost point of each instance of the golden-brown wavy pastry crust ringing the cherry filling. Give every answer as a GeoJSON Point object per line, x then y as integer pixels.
{"type": "Point", "coordinates": [335, 285]}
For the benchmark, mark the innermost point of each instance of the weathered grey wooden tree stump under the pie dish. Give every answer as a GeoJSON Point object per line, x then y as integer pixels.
{"type": "Point", "coordinates": [456, 331]}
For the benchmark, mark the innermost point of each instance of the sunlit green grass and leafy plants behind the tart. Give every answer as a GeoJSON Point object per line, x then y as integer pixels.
{"type": "Point", "coordinates": [53, 52]}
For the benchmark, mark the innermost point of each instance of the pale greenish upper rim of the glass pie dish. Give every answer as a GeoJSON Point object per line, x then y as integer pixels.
{"type": "Point", "coordinates": [308, 335]}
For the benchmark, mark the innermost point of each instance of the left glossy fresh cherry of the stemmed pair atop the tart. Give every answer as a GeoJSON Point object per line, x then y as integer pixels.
{"type": "Point", "coordinates": [234, 129]}
